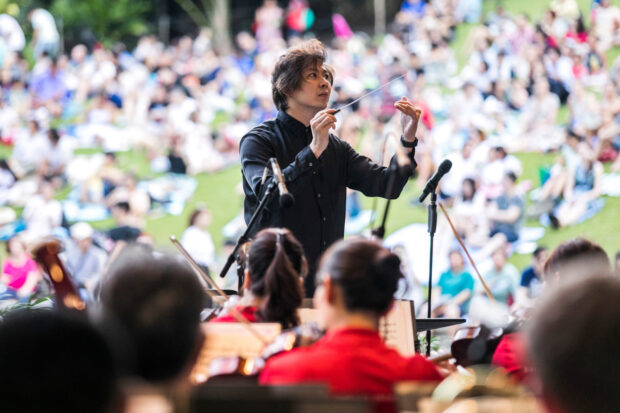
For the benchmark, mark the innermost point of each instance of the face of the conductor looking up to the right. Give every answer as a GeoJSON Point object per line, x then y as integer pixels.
{"type": "Point", "coordinates": [315, 88]}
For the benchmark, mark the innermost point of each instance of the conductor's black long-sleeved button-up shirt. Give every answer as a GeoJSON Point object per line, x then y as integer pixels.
{"type": "Point", "coordinates": [318, 185]}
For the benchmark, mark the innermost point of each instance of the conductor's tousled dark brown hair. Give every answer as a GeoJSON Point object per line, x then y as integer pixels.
{"type": "Point", "coordinates": [287, 75]}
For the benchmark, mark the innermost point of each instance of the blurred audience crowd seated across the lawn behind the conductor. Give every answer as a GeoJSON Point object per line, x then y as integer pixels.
{"type": "Point", "coordinates": [69, 115]}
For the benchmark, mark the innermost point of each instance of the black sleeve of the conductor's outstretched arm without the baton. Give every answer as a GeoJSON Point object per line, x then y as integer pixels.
{"type": "Point", "coordinates": [372, 179]}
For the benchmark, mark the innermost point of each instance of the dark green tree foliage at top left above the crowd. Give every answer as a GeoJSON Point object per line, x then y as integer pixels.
{"type": "Point", "coordinates": [103, 20]}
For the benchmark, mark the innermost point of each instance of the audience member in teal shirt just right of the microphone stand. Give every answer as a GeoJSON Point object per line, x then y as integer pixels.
{"type": "Point", "coordinates": [455, 288]}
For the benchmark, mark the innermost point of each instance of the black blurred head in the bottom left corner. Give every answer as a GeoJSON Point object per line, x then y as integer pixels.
{"type": "Point", "coordinates": [54, 362]}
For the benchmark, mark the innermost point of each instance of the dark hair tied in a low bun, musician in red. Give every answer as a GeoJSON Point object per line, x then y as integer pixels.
{"type": "Point", "coordinates": [366, 272]}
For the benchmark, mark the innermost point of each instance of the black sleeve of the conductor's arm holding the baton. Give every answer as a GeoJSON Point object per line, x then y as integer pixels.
{"type": "Point", "coordinates": [255, 153]}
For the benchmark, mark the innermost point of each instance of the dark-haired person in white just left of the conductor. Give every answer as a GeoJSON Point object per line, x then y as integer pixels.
{"type": "Point", "coordinates": [197, 240]}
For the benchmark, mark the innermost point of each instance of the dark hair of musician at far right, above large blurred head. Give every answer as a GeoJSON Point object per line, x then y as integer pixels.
{"type": "Point", "coordinates": [577, 256]}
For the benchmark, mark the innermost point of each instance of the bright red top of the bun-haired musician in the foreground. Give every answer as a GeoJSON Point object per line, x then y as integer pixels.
{"type": "Point", "coordinates": [351, 361]}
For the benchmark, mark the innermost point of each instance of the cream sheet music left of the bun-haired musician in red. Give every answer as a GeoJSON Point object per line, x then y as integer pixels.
{"type": "Point", "coordinates": [230, 340]}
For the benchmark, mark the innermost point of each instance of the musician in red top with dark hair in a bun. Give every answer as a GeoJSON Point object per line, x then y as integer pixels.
{"type": "Point", "coordinates": [356, 282]}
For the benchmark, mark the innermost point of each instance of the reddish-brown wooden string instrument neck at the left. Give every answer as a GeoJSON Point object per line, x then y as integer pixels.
{"type": "Point", "coordinates": [46, 255]}
